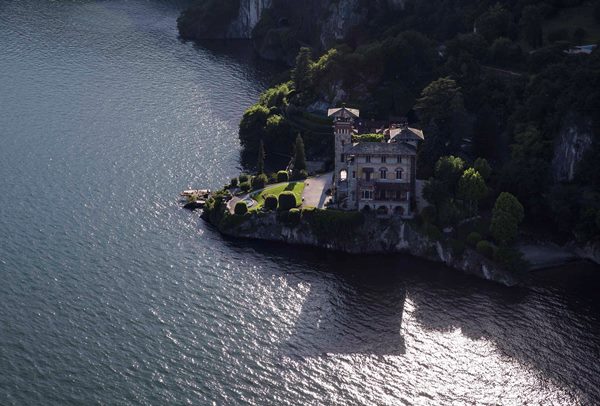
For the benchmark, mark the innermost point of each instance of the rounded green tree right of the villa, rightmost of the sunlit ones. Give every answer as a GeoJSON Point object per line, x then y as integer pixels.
{"type": "Point", "coordinates": [507, 214]}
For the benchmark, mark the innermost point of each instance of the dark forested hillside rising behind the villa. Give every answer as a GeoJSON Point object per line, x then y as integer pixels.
{"type": "Point", "coordinates": [484, 79]}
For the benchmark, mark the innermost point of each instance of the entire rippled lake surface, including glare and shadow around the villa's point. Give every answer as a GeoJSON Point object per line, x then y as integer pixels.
{"type": "Point", "coordinates": [111, 294]}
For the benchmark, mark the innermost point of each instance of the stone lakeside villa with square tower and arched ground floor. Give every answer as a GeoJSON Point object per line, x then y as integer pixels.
{"type": "Point", "coordinates": [378, 175]}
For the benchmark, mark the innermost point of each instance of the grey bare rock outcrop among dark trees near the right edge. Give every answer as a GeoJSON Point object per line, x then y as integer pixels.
{"type": "Point", "coordinates": [573, 141]}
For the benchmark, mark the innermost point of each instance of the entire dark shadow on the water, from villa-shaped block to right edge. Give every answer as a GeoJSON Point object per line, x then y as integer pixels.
{"type": "Point", "coordinates": [356, 306]}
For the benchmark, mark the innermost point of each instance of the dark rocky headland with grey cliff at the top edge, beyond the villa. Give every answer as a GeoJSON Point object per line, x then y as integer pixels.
{"type": "Point", "coordinates": [280, 27]}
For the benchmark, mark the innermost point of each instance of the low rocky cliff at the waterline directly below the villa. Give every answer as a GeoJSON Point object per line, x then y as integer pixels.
{"type": "Point", "coordinates": [374, 236]}
